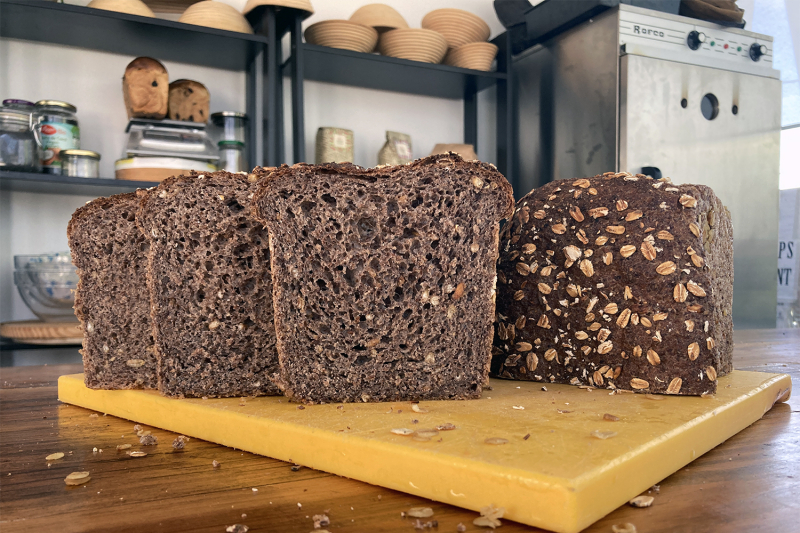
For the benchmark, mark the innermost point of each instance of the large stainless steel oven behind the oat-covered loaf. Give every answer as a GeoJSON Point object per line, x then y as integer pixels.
{"type": "Point", "coordinates": [643, 91]}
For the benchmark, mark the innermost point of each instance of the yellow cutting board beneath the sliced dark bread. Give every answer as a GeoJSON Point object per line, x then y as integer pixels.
{"type": "Point", "coordinates": [560, 477]}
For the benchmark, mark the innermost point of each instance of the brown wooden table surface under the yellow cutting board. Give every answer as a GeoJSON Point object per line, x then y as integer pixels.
{"type": "Point", "coordinates": [749, 483]}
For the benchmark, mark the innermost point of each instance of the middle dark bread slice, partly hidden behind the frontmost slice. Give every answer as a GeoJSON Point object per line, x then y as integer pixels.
{"type": "Point", "coordinates": [210, 287]}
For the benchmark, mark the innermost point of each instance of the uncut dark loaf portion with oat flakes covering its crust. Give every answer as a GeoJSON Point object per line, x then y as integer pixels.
{"type": "Point", "coordinates": [617, 281]}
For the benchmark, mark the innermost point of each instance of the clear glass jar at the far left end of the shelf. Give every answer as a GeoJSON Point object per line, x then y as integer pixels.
{"type": "Point", "coordinates": [18, 147]}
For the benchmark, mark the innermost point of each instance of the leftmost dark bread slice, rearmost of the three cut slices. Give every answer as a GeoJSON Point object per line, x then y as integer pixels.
{"type": "Point", "coordinates": [112, 301]}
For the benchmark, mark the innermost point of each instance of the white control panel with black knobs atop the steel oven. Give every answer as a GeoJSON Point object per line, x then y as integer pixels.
{"type": "Point", "coordinates": [694, 40]}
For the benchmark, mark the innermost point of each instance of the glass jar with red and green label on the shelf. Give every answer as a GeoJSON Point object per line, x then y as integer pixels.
{"type": "Point", "coordinates": [56, 128]}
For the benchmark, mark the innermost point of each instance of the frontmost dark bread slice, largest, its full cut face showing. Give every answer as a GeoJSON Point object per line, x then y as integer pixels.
{"type": "Point", "coordinates": [384, 278]}
